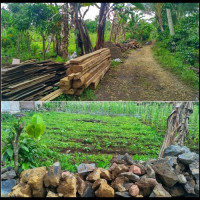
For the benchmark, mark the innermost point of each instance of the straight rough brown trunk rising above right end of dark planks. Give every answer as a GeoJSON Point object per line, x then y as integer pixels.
{"type": "Point", "coordinates": [65, 30]}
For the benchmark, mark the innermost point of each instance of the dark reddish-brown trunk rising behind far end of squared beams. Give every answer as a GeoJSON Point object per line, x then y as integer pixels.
{"type": "Point", "coordinates": [102, 23]}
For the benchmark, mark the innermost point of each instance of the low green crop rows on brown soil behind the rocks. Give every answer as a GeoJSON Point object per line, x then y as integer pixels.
{"type": "Point", "coordinates": [76, 138]}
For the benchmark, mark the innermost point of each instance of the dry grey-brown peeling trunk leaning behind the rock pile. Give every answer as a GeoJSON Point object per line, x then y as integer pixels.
{"type": "Point", "coordinates": [177, 123]}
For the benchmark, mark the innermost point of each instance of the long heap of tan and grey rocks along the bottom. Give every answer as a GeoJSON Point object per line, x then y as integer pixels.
{"type": "Point", "coordinates": [176, 174]}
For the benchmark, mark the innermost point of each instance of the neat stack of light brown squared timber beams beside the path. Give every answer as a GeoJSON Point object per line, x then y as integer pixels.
{"type": "Point", "coordinates": [85, 71]}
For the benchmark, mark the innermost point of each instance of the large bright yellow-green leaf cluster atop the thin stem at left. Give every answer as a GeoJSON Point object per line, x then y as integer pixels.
{"type": "Point", "coordinates": [36, 128]}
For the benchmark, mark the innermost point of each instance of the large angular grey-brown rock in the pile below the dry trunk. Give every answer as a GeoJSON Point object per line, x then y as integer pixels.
{"type": "Point", "coordinates": [165, 173]}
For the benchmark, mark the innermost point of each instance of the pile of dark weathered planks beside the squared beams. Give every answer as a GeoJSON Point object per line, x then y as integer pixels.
{"type": "Point", "coordinates": [31, 80]}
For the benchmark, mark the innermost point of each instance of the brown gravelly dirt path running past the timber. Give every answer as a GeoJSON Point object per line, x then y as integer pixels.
{"type": "Point", "coordinates": [141, 78]}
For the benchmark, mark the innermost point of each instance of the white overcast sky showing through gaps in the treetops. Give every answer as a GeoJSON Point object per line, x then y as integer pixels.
{"type": "Point", "coordinates": [93, 12]}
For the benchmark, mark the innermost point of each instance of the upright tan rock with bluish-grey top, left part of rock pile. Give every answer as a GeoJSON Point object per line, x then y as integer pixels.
{"type": "Point", "coordinates": [52, 178]}
